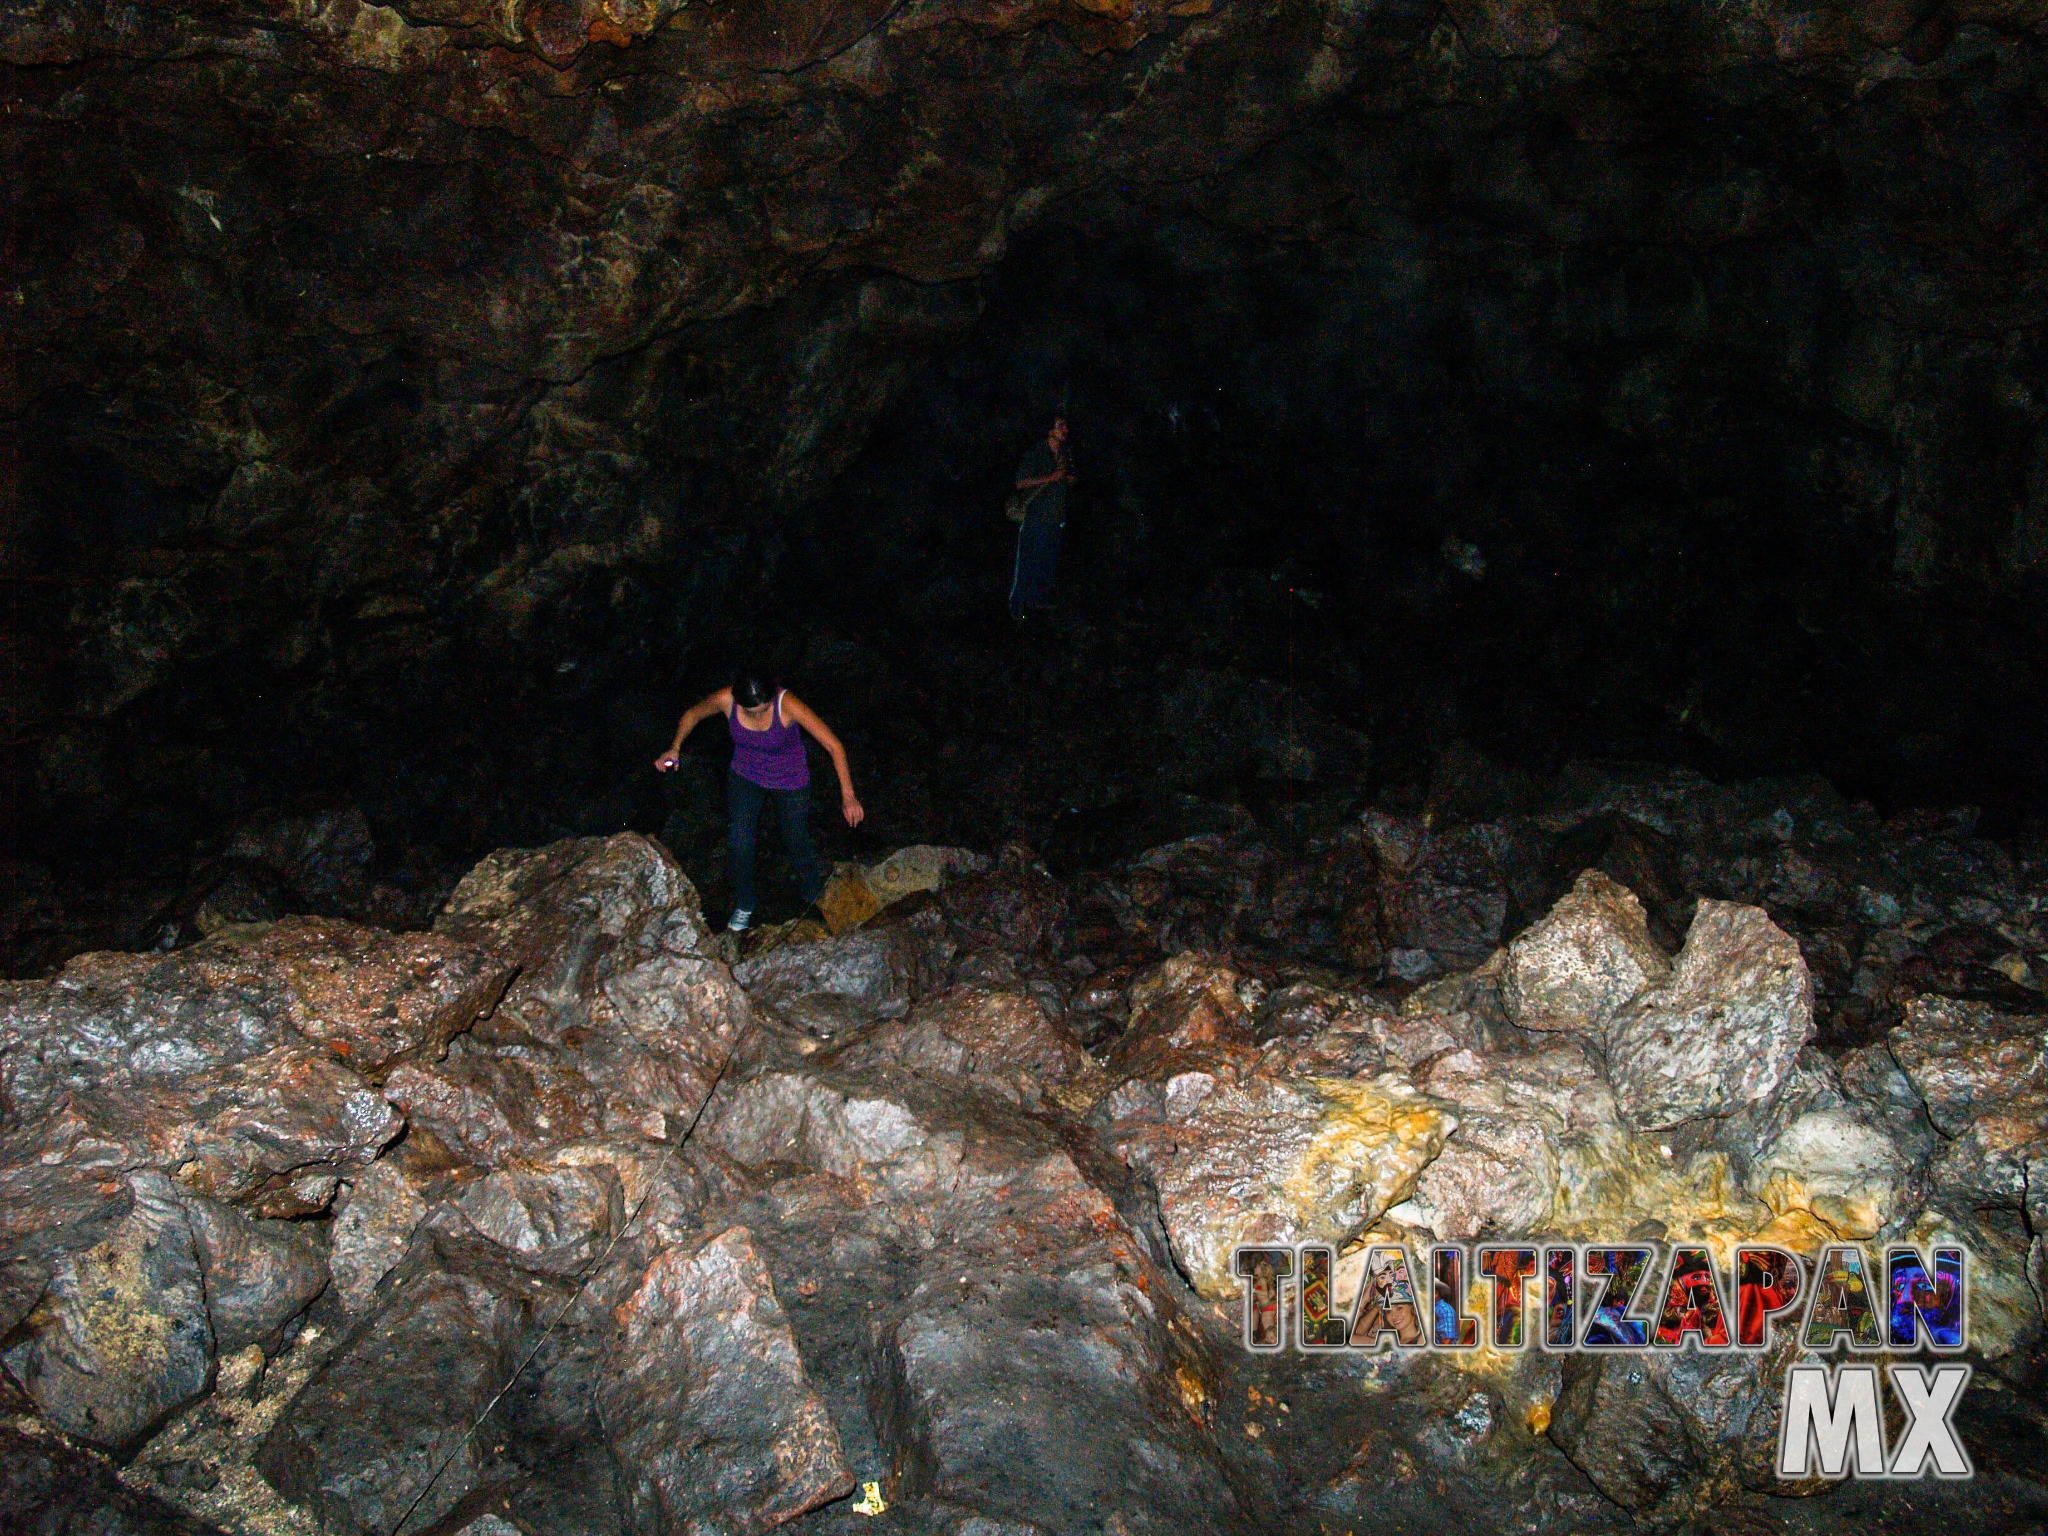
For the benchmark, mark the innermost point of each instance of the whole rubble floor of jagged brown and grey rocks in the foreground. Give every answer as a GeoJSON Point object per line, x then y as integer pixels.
{"type": "Point", "coordinates": [941, 1199]}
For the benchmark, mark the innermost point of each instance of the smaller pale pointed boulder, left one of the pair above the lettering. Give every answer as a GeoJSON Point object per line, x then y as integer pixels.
{"type": "Point", "coordinates": [1588, 957]}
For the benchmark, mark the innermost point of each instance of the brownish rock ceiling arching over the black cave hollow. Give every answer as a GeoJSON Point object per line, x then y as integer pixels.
{"type": "Point", "coordinates": [355, 341]}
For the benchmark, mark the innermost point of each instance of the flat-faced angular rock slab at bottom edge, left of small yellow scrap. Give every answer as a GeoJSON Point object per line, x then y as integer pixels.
{"type": "Point", "coordinates": [708, 1404]}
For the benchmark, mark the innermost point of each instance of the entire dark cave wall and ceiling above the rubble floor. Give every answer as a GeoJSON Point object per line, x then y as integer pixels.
{"type": "Point", "coordinates": [407, 404]}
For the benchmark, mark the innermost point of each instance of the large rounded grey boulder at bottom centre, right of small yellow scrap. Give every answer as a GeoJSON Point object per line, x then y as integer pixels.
{"type": "Point", "coordinates": [1033, 1367]}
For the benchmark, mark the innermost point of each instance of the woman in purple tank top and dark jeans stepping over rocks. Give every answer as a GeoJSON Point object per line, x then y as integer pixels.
{"type": "Point", "coordinates": [769, 763]}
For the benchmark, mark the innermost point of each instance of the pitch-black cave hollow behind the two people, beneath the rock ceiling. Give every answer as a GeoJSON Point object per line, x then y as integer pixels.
{"type": "Point", "coordinates": [1353, 517]}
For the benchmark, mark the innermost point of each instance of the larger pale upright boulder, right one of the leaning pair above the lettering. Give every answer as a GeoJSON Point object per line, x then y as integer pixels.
{"type": "Point", "coordinates": [1723, 1033]}
